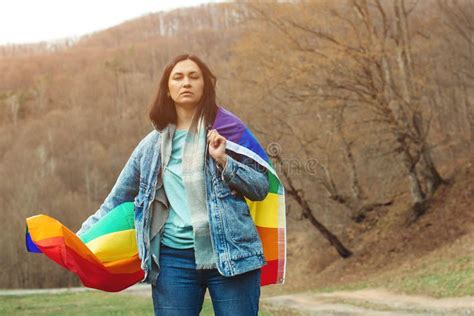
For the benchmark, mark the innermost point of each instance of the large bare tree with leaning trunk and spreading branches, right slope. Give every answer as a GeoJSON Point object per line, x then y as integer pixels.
{"type": "Point", "coordinates": [367, 60]}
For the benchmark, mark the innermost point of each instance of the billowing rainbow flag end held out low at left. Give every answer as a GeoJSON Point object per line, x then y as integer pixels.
{"type": "Point", "coordinates": [104, 258]}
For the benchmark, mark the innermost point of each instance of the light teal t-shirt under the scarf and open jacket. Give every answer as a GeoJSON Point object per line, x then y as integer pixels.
{"type": "Point", "coordinates": [178, 229]}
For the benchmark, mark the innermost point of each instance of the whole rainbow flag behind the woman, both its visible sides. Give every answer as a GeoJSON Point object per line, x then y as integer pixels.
{"type": "Point", "coordinates": [106, 256]}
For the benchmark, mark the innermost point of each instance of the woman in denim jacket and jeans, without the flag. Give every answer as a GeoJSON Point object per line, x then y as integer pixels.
{"type": "Point", "coordinates": [194, 231]}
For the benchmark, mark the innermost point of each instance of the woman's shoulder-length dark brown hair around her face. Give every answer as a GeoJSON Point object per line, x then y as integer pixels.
{"type": "Point", "coordinates": [163, 111]}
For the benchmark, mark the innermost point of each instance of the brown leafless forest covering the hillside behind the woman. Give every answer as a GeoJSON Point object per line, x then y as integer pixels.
{"type": "Point", "coordinates": [366, 108]}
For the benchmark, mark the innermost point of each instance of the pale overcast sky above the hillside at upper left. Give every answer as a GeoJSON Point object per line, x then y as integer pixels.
{"type": "Point", "coordinates": [27, 21]}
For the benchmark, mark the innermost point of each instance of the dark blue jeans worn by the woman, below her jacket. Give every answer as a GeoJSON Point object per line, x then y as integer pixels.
{"type": "Point", "coordinates": [180, 288]}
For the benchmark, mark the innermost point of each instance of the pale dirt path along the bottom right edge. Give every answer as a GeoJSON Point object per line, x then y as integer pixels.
{"type": "Point", "coordinates": [366, 302]}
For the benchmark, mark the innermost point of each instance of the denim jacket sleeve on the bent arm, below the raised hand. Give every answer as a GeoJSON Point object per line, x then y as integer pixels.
{"type": "Point", "coordinates": [246, 176]}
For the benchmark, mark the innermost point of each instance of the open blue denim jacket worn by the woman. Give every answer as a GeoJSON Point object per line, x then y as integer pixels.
{"type": "Point", "coordinates": [233, 233]}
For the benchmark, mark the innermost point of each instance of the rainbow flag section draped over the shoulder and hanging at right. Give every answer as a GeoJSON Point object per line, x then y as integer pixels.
{"type": "Point", "coordinates": [269, 214]}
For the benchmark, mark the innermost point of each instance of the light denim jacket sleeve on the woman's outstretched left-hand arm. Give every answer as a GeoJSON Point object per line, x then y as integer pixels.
{"type": "Point", "coordinates": [125, 189]}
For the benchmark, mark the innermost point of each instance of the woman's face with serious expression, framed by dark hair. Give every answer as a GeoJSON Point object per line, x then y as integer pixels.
{"type": "Point", "coordinates": [186, 83]}
